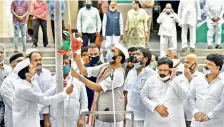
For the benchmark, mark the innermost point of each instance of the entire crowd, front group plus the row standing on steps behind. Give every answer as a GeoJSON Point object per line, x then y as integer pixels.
{"type": "Point", "coordinates": [162, 92]}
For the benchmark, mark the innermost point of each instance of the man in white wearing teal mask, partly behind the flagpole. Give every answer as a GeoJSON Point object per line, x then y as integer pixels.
{"type": "Point", "coordinates": [73, 105]}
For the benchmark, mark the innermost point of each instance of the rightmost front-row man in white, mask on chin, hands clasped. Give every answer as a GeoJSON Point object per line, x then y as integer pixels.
{"type": "Point", "coordinates": [207, 95]}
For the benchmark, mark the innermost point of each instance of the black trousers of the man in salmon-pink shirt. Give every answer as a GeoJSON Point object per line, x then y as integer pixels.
{"type": "Point", "coordinates": [36, 24]}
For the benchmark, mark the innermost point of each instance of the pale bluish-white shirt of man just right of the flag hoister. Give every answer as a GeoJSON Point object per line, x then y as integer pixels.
{"type": "Point", "coordinates": [133, 85]}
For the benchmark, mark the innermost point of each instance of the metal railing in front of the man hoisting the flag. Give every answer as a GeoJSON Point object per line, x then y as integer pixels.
{"type": "Point", "coordinates": [108, 113]}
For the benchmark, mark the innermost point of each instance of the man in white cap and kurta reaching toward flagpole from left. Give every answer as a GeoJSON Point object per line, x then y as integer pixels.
{"type": "Point", "coordinates": [28, 96]}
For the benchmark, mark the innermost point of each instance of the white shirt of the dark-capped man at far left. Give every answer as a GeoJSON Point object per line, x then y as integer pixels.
{"type": "Point", "coordinates": [7, 92]}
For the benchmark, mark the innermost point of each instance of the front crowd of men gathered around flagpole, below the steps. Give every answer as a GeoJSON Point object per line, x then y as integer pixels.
{"type": "Point", "coordinates": [161, 92]}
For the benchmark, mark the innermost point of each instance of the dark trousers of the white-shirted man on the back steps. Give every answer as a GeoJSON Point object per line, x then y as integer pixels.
{"type": "Point", "coordinates": [86, 37]}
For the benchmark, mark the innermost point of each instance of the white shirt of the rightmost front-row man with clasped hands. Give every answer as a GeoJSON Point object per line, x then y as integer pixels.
{"type": "Point", "coordinates": [209, 99]}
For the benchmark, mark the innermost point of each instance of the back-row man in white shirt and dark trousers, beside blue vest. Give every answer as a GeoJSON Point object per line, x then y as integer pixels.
{"type": "Point", "coordinates": [88, 23]}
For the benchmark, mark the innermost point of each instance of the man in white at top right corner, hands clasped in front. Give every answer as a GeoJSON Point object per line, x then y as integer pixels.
{"type": "Point", "coordinates": [215, 11]}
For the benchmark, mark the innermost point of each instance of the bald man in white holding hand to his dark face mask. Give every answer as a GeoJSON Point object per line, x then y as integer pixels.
{"type": "Point", "coordinates": [190, 72]}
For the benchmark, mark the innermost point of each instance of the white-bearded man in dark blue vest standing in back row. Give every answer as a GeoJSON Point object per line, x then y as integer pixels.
{"type": "Point", "coordinates": [112, 28]}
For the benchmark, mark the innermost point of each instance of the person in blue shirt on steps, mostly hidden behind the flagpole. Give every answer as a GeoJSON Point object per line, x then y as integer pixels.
{"type": "Point", "coordinates": [51, 9]}
